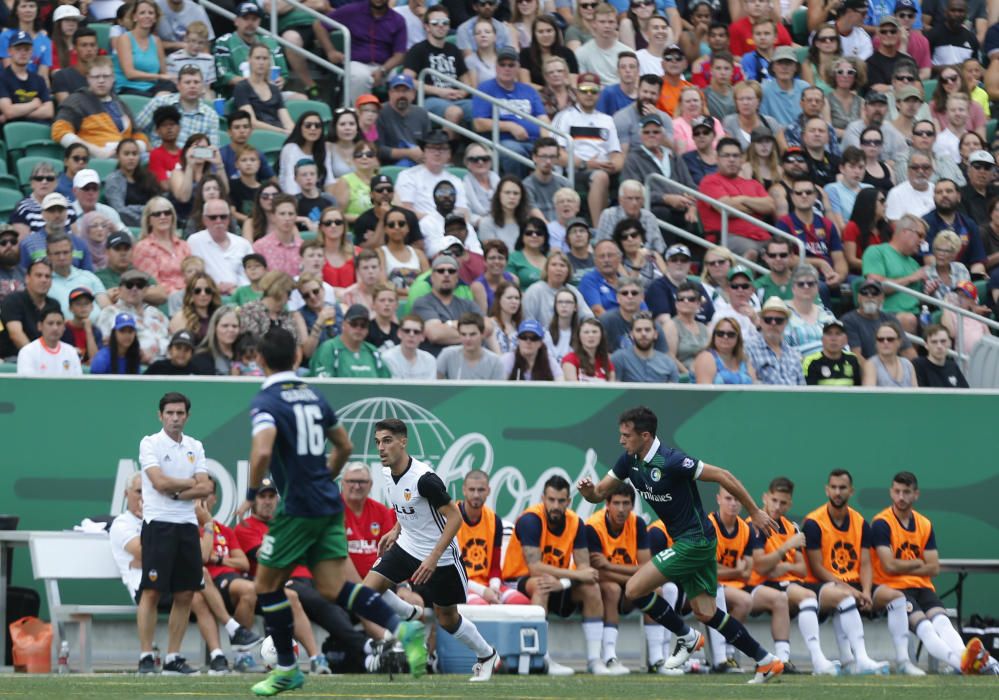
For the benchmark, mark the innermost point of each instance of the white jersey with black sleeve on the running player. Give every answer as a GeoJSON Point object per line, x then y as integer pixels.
{"type": "Point", "coordinates": [415, 497]}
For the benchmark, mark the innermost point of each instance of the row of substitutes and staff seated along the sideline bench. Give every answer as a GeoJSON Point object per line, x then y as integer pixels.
{"type": "Point", "coordinates": [835, 565]}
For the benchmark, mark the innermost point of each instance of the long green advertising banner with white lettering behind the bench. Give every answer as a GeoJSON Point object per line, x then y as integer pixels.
{"type": "Point", "coordinates": [69, 445]}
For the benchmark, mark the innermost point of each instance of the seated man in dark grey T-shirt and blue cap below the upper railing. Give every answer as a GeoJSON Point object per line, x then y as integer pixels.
{"type": "Point", "coordinates": [402, 125]}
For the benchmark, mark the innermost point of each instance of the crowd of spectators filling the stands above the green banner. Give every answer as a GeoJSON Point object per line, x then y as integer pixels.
{"type": "Point", "coordinates": [206, 191]}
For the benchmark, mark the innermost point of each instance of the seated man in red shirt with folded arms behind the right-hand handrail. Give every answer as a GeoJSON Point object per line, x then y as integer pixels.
{"type": "Point", "coordinates": [746, 195]}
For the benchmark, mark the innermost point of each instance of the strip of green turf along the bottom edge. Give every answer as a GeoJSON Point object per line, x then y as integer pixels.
{"type": "Point", "coordinates": [130, 687]}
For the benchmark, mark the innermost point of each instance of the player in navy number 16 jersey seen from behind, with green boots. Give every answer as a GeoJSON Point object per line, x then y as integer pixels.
{"type": "Point", "coordinates": [291, 424]}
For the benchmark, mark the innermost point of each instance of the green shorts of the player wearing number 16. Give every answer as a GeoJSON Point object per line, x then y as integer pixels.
{"type": "Point", "coordinates": [295, 540]}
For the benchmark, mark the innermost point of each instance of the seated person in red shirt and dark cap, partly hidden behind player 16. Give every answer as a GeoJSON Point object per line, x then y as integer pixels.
{"type": "Point", "coordinates": [306, 602]}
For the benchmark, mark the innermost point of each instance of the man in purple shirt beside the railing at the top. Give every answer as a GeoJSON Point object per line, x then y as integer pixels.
{"type": "Point", "coordinates": [378, 42]}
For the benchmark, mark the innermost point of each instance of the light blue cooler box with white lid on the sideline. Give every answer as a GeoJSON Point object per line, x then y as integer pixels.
{"type": "Point", "coordinates": [519, 633]}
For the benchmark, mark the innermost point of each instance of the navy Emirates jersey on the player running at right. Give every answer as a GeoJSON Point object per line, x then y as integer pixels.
{"type": "Point", "coordinates": [668, 483]}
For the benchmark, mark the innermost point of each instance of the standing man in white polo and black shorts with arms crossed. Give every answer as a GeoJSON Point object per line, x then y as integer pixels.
{"type": "Point", "coordinates": [174, 475]}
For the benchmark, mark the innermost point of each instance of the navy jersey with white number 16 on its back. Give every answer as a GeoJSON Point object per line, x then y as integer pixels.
{"type": "Point", "coordinates": [298, 464]}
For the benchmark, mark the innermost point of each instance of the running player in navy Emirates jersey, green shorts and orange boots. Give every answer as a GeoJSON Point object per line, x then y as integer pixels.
{"type": "Point", "coordinates": [667, 479]}
